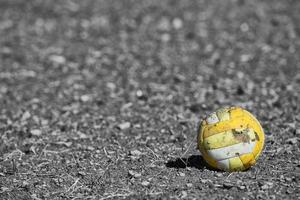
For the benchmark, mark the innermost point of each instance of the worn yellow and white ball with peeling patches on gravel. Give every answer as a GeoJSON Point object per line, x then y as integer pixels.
{"type": "Point", "coordinates": [230, 139]}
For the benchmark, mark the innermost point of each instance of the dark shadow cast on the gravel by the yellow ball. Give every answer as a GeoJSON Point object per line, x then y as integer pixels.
{"type": "Point", "coordinates": [195, 161]}
